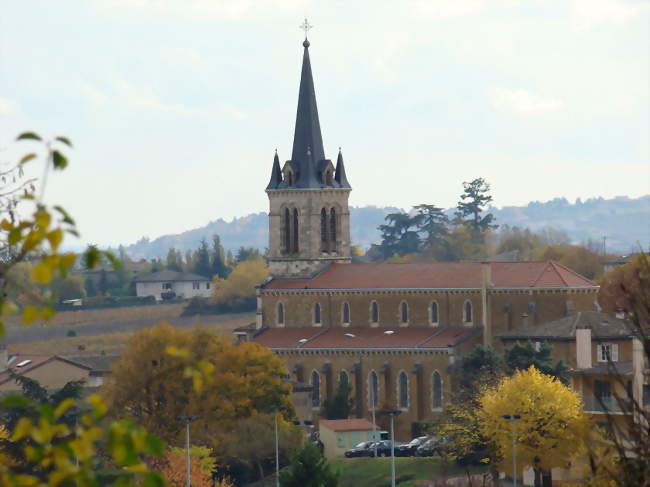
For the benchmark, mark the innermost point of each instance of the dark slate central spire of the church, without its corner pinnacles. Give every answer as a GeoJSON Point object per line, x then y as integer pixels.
{"type": "Point", "coordinates": [307, 136]}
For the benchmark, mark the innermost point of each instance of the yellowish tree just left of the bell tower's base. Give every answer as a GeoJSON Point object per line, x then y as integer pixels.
{"type": "Point", "coordinates": [238, 291]}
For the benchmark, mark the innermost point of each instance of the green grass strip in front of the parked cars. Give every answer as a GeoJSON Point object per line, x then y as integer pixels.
{"type": "Point", "coordinates": [409, 472]}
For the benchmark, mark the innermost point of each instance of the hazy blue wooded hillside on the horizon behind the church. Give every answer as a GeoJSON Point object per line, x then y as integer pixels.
{"type": "Point", "coordinates": [625, 222]}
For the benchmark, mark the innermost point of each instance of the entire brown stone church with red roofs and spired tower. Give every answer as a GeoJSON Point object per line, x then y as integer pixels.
{"type": "Point", "coordinates": [392, 331]}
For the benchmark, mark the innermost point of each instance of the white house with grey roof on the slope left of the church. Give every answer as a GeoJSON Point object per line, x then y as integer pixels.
{"type": "Point", "coordinates": [169, 284]}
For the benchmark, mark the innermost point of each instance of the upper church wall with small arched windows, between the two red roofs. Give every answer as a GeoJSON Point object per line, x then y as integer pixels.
{"type": "Point", "coordinates": [505, 308]}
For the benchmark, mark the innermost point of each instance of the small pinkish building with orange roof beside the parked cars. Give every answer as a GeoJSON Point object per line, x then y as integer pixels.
{"type": "Point", "coordinates": [339, 435]}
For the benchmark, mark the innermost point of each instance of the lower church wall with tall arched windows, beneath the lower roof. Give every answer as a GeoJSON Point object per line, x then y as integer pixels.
{"type": "Point", "coordinates": [418, 365]}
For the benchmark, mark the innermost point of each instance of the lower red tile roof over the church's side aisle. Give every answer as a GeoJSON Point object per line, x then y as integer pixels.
{"type": "Point", "coordinates": [362, 338]}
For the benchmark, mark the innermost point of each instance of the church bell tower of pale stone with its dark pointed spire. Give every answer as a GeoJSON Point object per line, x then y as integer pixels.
{"type": "Point", "coordinates": [309, 219]}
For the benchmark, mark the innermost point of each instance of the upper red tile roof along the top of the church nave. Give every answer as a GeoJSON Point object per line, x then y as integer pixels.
{"type": "Point", "coordinates": [437, 275]}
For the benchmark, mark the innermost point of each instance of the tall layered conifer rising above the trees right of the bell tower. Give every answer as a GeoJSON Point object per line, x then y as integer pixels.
{"type": "Point", "coordinates": [476, 194]}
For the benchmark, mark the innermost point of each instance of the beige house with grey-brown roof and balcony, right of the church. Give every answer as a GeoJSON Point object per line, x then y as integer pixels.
{"type": "Point", "coordinates": [607, 367]}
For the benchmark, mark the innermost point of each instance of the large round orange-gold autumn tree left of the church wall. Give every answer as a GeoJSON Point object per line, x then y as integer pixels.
{"type": "Point", "coordinates": [194, 372]}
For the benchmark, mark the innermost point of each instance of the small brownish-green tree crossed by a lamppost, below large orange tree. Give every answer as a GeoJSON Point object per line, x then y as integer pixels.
{"type": "Point", "coordinates": [257, 453]}
